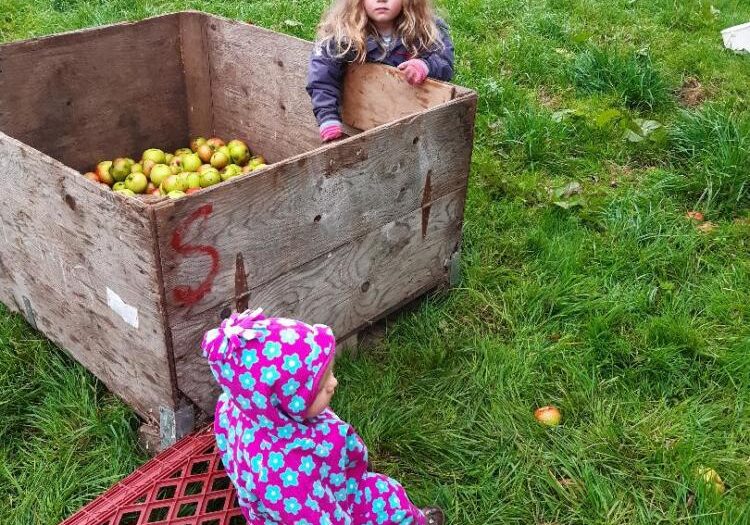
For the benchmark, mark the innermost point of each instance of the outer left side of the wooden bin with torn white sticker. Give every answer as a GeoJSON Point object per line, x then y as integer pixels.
{"type": "Point", "coordinates": [78, 262]}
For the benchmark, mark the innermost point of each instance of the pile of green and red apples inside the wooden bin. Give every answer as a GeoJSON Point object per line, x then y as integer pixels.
{"type": "Point", "coordinates": [188, 170]}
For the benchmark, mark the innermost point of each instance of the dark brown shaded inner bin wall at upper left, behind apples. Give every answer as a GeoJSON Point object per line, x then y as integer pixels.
{"type": "Point", "coordinates": [96, 94]}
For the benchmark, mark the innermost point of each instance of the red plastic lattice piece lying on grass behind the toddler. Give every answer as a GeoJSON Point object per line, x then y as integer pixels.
{"type": "Point", "coordinates": [184, 485]}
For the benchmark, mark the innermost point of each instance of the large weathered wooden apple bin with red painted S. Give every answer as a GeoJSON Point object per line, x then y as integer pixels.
{"type": "Point", "coordinates": [340, 234]}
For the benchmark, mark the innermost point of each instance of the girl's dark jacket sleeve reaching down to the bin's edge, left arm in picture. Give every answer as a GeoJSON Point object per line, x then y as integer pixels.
{"type": "Point", "coordinates": [324, 79]}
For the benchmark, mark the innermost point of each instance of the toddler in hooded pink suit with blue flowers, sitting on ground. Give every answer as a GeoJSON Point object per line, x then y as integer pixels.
{"type": "Point", "coordinates": [291, 458]}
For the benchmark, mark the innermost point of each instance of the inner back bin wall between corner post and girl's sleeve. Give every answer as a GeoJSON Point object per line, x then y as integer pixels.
{"type": "Point", "coordinates": [258, 80]}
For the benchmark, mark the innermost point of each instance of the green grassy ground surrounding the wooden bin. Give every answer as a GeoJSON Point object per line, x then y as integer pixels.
{"type": "Point", "coordinates": [584, 285]}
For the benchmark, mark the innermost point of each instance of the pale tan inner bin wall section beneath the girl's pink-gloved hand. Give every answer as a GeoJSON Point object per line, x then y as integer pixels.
{"type": "Point", "coordinates": [375, 94]}
